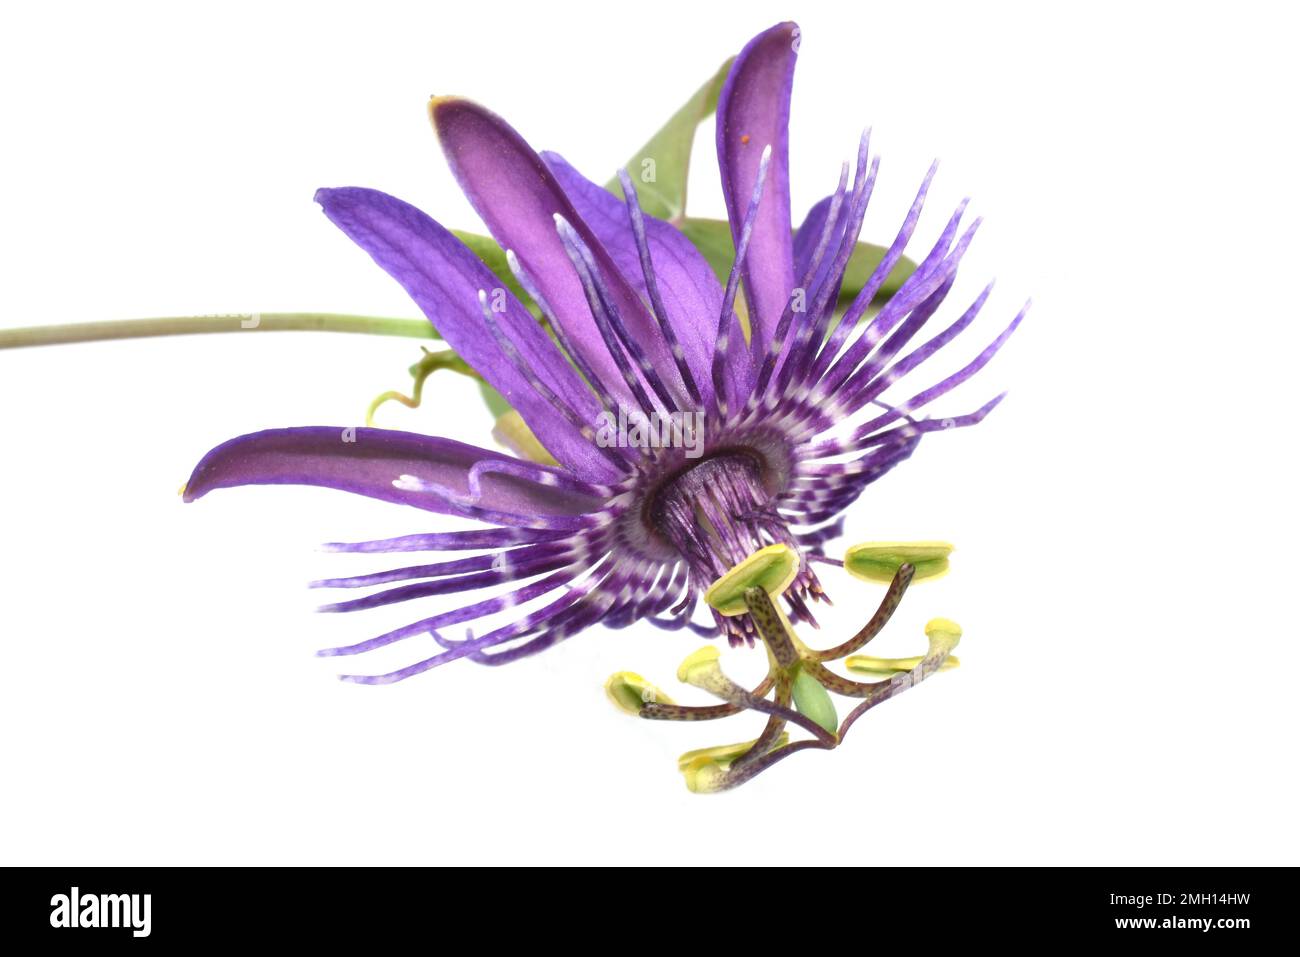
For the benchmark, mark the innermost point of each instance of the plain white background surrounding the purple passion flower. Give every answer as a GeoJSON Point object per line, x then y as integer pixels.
{"type": "Point", "coordinates": [1125, 521]}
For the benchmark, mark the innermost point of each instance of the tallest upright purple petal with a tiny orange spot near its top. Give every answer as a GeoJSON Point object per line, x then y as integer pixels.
{"type": "Point", "coordinates": [753, 112]}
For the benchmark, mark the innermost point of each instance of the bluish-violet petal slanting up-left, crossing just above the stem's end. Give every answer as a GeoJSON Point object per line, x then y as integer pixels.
{"type": "Point", "coordinates": [444, 278]}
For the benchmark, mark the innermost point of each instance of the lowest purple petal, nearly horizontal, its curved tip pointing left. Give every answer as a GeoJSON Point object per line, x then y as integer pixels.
{"type": "Point", "coordinates": [367, 462]}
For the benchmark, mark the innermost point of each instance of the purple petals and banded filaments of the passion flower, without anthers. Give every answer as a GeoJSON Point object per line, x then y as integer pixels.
{"type": "Point", "coordinates": [794, 422]}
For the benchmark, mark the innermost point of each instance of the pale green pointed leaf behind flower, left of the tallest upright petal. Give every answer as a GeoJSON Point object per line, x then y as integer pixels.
{"type": "Point", "coordinates": [662, 166]}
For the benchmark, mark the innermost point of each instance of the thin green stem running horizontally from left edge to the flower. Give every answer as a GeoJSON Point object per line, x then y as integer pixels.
{"type": "Point", "coordinates": [192, 326]}
